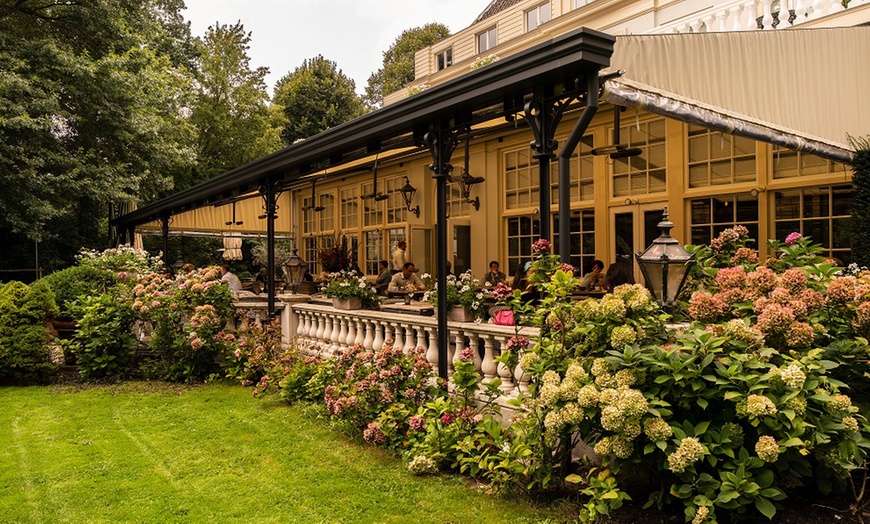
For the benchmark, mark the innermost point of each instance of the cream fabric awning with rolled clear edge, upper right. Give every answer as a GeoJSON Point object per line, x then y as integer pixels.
{"type": "Point", "coordinates": [804, 89]}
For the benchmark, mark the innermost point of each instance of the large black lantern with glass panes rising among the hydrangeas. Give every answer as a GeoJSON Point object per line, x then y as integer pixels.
{"type": "Point", "coordinates": [665, 264]}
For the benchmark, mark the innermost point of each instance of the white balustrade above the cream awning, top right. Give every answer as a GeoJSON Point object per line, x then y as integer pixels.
{"type": "Point", "coordinates": [751, 15]}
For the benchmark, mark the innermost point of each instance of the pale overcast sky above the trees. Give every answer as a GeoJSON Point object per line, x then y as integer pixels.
{"type": "Point", "coordinates": [352, 33]}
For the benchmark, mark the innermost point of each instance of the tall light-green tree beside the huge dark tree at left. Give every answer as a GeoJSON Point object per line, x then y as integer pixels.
{"type": "Point", "coordinates": [234, 121]}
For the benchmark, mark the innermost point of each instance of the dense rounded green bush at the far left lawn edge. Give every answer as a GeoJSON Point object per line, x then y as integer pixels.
{"type": "Point", "coordinates": [24, 338]}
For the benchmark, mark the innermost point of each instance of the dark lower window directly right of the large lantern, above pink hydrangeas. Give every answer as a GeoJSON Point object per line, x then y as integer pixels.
{"type": "Point", "coordinates": [711, 216]}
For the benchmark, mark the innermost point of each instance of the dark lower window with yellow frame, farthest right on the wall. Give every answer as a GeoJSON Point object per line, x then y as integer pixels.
{"type": "Point", "coordinates": [818, 212]}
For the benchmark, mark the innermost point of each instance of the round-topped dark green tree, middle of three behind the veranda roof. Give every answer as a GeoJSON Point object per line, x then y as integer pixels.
{"type": "Point", "coordinates": [315, 97]}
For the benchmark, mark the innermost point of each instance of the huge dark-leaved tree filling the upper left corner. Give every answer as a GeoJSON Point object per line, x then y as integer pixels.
{"type": "Point", "coordinates": [92, 111]}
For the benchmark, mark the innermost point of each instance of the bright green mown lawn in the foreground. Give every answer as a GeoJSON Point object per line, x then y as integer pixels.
{"type": "Point", "coordinates": [153, 453]}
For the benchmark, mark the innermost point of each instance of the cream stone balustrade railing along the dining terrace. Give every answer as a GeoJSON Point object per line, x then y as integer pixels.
{"type": "Point", "coordinates": [321, 330]}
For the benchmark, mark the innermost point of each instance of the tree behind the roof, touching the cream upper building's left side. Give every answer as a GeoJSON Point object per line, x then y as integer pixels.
{"type": "Point", "coordinates": [398, 68]}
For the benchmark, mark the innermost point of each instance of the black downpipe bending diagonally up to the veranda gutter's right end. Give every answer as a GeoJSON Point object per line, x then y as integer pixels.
{"type": "Point", "coordinates": [565, 165]}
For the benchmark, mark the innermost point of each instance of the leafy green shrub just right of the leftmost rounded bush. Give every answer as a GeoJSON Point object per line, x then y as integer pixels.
{"type": "Point", "coordinates": [104, 343]}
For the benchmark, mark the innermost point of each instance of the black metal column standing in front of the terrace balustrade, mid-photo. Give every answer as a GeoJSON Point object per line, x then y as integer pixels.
{"type": "Point", "coordinates": [441, 144]}
